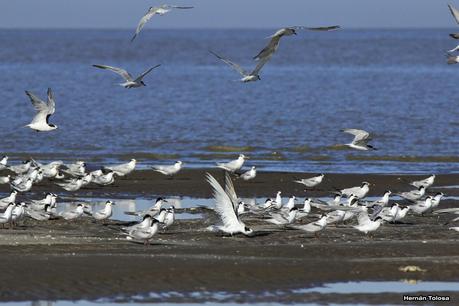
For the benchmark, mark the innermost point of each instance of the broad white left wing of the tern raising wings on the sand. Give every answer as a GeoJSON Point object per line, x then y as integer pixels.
{"type": "Point", "coordinates": [223, 205]}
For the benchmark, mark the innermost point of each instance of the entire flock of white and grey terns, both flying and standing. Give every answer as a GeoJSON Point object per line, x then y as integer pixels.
{"type": "Point", "coordinates": [348, 205]}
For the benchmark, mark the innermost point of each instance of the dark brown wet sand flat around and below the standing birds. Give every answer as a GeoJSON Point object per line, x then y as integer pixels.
{"type": "Point", "coordinates": [82, 259]}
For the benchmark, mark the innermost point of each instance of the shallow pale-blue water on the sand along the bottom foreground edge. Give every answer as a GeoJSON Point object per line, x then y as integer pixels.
{"type": "Point", "coordinates": [329, 292]}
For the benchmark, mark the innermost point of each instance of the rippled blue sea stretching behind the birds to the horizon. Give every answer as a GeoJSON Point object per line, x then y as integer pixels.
{"type": "Point", "coordinates": [394, 83]}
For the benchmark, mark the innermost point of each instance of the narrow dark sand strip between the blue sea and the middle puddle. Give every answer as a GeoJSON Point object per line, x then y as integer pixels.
{"type": "Point", "coordinates": [191, 183]}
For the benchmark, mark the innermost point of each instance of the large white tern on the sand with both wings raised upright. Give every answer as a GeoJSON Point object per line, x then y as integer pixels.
{"type": "Point", "coordinates": [226, 208]}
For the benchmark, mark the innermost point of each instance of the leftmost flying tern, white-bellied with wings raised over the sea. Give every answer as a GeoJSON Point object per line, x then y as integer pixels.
{"type": "Point", "coordinates": [44, 109]}
